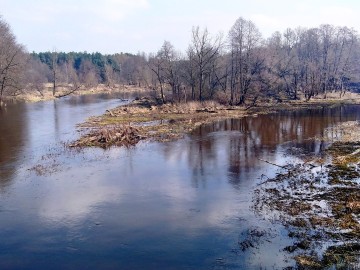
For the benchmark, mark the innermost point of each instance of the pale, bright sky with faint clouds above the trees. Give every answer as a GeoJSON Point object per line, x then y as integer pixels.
{"type": "Point", "coordinates": [111, 26]}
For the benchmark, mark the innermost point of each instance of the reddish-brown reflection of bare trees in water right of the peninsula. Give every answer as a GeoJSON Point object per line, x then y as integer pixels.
{"type": "Point", "coordinates": [245, 142]}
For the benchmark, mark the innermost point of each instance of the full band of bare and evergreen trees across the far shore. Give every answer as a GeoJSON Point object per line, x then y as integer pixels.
{"type": "Point", "coordinates": [237, 68]}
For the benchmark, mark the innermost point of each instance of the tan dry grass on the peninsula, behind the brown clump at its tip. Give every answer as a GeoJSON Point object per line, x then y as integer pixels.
{"type": "Point", "coordinates": [170, 121]}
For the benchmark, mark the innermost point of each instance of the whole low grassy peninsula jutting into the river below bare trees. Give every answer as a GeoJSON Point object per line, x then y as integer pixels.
{"type": "Point", "coordinates": [150, 119]}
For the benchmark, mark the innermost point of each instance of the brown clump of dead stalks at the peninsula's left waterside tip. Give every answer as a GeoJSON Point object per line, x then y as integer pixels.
{"type": "Point", "coordinates": [122, 135]}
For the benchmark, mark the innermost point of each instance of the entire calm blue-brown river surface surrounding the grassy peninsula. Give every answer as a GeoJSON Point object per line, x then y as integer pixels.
{"type": "Point", "coordinates": [177, 205]}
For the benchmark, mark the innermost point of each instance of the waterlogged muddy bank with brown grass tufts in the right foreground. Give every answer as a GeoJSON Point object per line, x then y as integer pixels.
{"type": "Point", "coordinates": [318, 201]}
